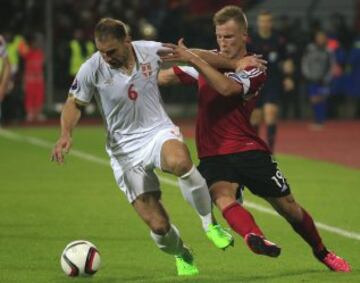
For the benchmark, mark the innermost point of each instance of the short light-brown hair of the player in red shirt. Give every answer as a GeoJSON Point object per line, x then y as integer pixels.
{"type": "Point", "coordinates": [228, 13]}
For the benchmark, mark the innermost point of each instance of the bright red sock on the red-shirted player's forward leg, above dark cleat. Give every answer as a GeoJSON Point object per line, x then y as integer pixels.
{"type": "Point", "coordinates": [240, 220]}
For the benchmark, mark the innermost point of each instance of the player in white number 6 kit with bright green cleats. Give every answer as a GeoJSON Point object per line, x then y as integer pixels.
{"type": "Point", "coordinates": [122, 77]}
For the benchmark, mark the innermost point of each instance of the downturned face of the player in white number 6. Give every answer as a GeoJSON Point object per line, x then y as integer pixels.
{"type": "Point", "coordinates": [113, 51]}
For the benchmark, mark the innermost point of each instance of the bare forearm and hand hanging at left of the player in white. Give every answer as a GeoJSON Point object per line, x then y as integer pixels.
{"type": "Point", "coordinates": [70, 116]}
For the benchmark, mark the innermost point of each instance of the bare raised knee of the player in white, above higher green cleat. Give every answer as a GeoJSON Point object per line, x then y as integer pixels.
{"type": "Point", "coordinates": [175, 157]}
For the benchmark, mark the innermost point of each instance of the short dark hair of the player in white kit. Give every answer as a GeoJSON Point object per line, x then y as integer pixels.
{"type": "Point", "coordinates": [108, 27]}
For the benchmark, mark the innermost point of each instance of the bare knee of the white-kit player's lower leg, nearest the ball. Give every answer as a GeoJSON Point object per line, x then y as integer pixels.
{"type": "Point", "coordinates": [152, 212]}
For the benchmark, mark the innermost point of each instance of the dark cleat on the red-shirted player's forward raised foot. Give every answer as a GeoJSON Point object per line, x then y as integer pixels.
{"type": "Point", "coordinates": [259, 245]}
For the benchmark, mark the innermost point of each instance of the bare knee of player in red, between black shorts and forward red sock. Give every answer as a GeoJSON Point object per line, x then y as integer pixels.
{"type": "Point", "coordinates": [223, 193]}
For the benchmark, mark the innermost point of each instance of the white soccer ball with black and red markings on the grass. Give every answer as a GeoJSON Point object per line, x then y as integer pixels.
{"type": "Point", "coordinates": [80, 258]}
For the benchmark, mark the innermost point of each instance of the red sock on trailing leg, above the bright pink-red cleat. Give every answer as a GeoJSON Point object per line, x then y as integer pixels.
{"type": "Point", "coordinates": [307, 230]}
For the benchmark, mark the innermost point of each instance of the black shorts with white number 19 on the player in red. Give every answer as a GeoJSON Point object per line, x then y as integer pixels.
{"type": "Point", "coordinates": [254, 169]}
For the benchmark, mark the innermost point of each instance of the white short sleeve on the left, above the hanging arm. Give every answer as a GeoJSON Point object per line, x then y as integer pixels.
{"type": "Point", "coordinates": [83, 87]}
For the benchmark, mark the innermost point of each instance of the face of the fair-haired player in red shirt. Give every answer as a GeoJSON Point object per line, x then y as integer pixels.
{"type": "Point", "coordinates": [230, 38]}
